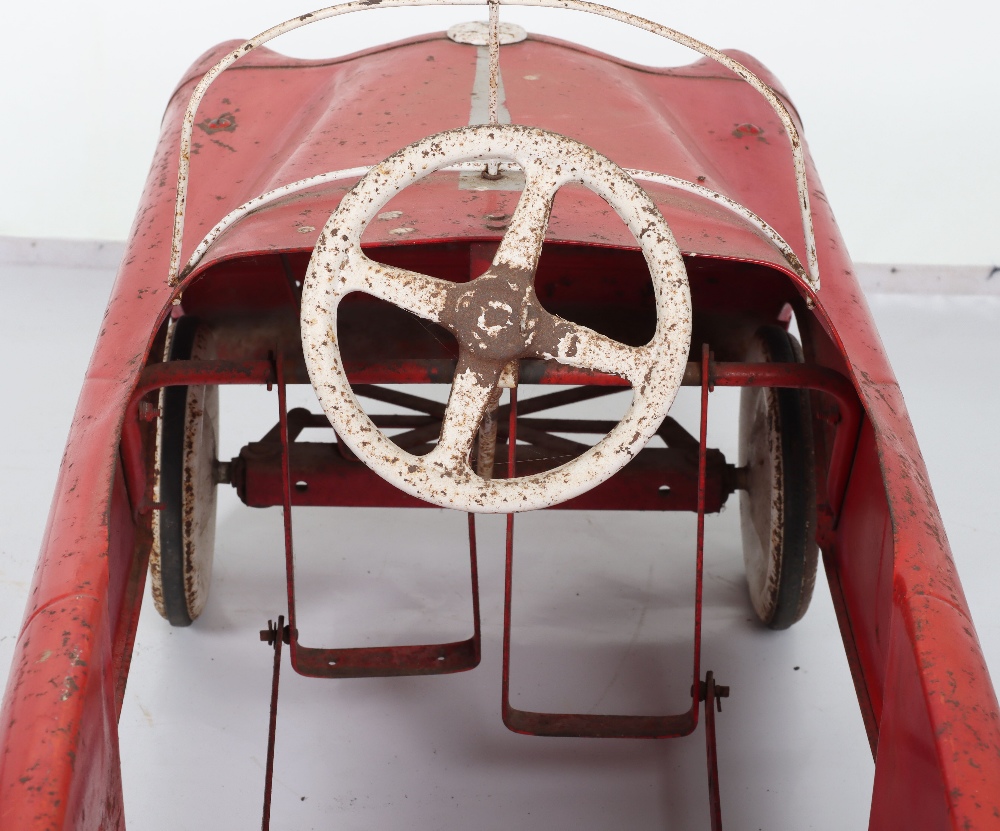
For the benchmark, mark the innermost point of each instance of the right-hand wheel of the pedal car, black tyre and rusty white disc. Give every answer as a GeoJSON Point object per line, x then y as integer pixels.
{"type": "Point", "coordinates": [778, 503]}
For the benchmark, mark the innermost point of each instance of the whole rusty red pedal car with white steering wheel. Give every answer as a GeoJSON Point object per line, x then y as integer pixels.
{"type": "Point", "coordinates": [536, 225]}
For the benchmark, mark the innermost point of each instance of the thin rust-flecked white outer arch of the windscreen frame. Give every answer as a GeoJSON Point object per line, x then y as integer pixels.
{"type": "Point", "coordinates": [174, 273]}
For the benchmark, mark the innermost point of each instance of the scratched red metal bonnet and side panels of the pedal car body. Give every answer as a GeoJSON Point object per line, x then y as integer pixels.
{"type": "Point", "coordinates": [923, 687]}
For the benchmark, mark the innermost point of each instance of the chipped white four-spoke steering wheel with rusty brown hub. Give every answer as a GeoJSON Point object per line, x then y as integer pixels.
{"type": "Point", "coordinates": [496, 319]}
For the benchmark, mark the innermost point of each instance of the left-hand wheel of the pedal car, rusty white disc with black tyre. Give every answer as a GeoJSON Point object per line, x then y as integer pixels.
{"type": "Point", "coordinates": [180, 562]}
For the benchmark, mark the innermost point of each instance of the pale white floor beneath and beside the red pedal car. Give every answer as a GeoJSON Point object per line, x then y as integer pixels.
{"type": "Point", "coordinates": [602, 624]}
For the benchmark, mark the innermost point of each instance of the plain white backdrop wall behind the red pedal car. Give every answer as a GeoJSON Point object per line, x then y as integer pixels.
{"type": "Point", "coordinates": [901, 101]}
